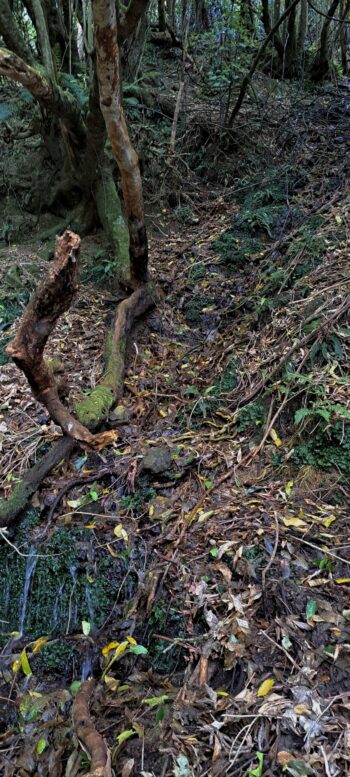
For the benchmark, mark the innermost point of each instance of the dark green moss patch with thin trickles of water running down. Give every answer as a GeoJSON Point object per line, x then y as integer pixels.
{"type": "Point", "coordinates": [68, 581]}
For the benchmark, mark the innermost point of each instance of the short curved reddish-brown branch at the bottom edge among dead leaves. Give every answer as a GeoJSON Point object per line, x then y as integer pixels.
{"type": "Point", "coordinates": [91, 741]}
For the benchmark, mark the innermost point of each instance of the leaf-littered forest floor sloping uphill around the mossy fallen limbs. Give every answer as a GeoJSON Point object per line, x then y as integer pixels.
{"type": "Point", "coordinates": [214, 533]}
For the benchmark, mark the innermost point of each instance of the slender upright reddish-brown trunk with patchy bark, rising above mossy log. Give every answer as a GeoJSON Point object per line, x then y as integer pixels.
{"type": "Point", "coordinates": [108, 73]}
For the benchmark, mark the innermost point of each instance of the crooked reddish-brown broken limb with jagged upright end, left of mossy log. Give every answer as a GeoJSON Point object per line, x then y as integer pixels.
{"type": "Point", "coordinates": [52, 298]}
